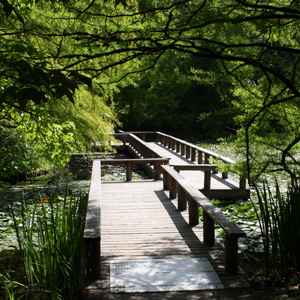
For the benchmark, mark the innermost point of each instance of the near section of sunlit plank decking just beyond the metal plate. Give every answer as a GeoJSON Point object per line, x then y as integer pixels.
{"type": "Point", "coordinates": [139, 221]}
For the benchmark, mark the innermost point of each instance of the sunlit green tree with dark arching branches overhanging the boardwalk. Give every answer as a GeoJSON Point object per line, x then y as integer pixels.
{"type": "Point", "coordinates": [255, 42]}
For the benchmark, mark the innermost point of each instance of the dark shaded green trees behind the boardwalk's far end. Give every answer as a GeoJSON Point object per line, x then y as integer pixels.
{"type": "Point", "coordinates": [168, 99]}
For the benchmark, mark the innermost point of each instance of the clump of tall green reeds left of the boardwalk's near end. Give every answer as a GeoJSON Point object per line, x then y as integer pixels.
{"type": "Point", "coordinates": [50, 237]}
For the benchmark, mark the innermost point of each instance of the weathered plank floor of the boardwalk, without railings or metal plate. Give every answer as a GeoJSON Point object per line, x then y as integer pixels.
{"type": "Point", "coordinates": [139, 221]}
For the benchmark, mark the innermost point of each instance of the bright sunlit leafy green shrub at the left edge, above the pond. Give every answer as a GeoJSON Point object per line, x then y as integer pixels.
{"type": "Point", "coordinates": [34, 136]}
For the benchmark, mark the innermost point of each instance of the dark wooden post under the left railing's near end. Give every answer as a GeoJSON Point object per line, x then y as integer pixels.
{"type": "Point", "coordinates": [93, 266]}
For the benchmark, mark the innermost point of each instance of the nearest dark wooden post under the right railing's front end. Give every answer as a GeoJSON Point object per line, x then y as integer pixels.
{"type": "Point", "coordinates": [231, 254]}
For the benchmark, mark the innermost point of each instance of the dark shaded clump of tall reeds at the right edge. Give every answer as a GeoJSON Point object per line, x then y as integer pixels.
{"type": "Point", "coordinates": [279, 218]}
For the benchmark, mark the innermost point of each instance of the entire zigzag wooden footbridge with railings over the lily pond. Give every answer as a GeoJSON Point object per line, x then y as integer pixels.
{"type": "Point", "coordinates": [157, 219]}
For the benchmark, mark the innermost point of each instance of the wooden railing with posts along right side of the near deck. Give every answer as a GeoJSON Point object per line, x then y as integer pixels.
{"type": "Point", "coordinates": [187, 193]}
